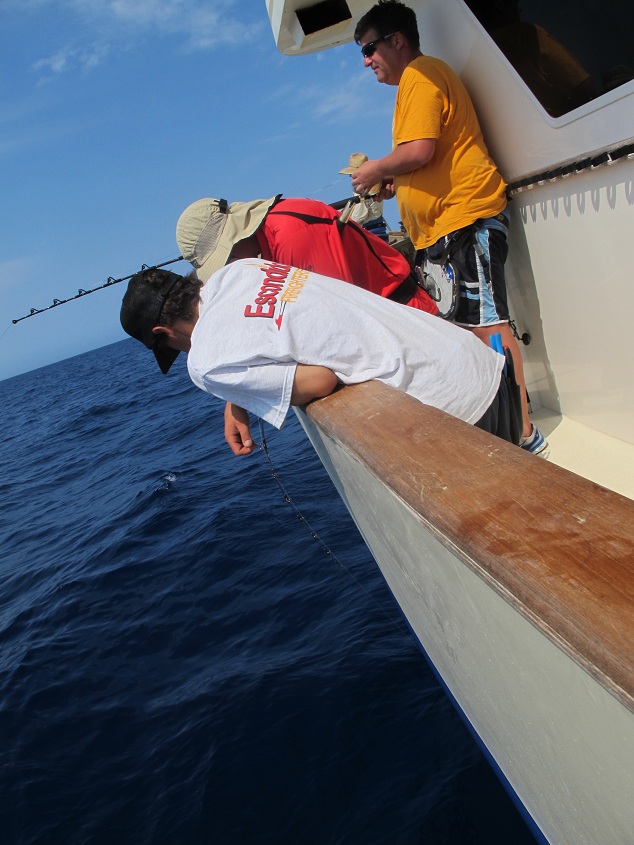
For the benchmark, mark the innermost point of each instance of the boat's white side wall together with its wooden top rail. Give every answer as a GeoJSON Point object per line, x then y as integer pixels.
{"type": "Point", "coordinates": [516, 577]}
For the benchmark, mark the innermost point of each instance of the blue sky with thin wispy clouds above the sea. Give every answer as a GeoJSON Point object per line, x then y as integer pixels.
{"type": "Point", "coordinates": [116, 114]}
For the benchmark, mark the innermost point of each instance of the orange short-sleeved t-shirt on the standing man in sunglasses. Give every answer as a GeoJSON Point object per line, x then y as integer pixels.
{"type": "Point", "coordinates": [461, 182]}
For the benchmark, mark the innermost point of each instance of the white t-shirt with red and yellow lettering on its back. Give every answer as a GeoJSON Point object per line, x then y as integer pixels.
{"type": "Point", "coordinates": [259, 319]}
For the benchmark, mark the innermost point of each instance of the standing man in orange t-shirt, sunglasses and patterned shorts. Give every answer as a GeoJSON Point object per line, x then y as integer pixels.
{"type": "Point", "coordinates": [450, 193]}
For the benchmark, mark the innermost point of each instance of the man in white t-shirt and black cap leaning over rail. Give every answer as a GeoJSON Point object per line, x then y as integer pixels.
{"type": "Point", "coordinates": [266, 336]}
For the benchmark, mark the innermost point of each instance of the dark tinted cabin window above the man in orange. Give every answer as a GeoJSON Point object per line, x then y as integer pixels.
{"type": "Point", "coordinates": [567, 52]}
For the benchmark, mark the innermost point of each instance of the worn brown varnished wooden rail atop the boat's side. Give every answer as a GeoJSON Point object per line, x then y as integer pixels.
{"type": "Point", "coordinates": [556, 546]}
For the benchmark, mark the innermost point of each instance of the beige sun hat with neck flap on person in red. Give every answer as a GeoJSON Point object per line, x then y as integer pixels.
{"type": "Point", "coordinates": [208, 230]}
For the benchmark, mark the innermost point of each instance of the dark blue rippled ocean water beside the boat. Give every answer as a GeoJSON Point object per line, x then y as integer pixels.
{"type": "Point", "coordinates": [181, 660]}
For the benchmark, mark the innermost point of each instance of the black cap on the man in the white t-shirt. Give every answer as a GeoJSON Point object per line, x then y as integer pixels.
{"type": "Point", "coordinates": [141, 311]}
